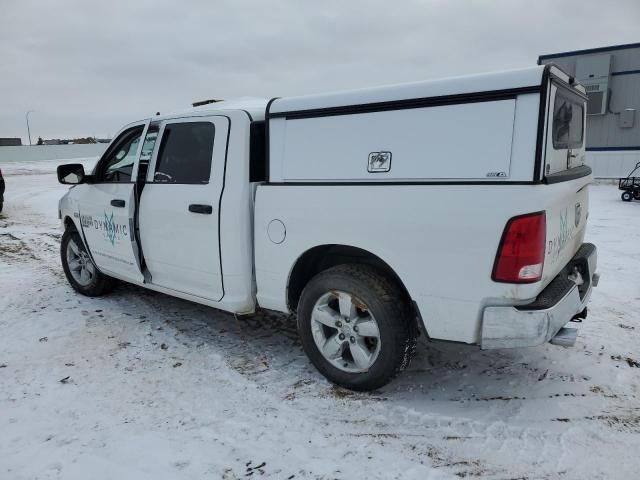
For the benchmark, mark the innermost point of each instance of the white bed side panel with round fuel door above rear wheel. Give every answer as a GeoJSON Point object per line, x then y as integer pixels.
{"type": "Point", "coordinates": [441, 240]}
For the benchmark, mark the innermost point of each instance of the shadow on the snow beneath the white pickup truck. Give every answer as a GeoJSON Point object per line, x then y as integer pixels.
{"type": "Point", "coordinates": [266, 348]}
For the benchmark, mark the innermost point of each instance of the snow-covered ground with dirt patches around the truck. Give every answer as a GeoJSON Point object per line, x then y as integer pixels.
{"type": "Point", "coordinates": [139, 385]}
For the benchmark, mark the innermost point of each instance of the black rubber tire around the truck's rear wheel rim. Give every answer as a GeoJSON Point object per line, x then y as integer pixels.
{"type": "Point", "coordinates": [387, 304]}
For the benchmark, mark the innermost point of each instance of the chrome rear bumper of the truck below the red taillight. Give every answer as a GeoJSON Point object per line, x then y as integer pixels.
{"type": "Point", "coordinates": [540, 320]}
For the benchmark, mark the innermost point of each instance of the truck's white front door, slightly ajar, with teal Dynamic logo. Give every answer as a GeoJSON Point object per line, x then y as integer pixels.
{"type": "Point", "coordinates": [107, 207]}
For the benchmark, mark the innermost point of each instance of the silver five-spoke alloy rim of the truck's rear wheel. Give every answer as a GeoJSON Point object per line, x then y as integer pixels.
{"type": "Point", "coordinates": [345, 331]}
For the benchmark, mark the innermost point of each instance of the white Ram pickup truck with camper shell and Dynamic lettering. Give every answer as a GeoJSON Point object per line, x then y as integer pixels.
{"type": "Point", "coordinates": [454, 208]}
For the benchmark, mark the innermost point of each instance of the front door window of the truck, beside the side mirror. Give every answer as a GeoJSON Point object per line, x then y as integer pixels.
{"type": "Point", "coordinates": [117, 164]}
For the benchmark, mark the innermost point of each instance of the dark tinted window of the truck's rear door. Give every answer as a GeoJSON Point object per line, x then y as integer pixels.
{"type": "Point", "coordinates": [185, 153]}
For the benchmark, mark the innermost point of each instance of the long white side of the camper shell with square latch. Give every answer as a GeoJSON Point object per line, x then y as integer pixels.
{"type": "Point", "coordinates": [479, 128]}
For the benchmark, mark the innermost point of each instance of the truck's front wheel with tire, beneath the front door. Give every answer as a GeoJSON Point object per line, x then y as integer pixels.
{"type": "Point", "coordinates": [80, 270]}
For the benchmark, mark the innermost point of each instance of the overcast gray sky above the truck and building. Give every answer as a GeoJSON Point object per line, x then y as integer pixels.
{"type": "Point", "coordinates": [87, 67]}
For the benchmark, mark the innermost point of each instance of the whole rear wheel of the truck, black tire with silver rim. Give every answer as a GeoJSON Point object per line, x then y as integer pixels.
{"type": "Point", "coordinates": [354, 326]}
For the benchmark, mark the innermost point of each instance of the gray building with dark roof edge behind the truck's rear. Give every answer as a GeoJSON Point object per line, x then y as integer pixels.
{"type": "Point", "coordinates": [611, 76]}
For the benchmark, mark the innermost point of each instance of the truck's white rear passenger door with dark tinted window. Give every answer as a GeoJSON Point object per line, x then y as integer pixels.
{"type": "Point", "coordinates": [178, 211]}
